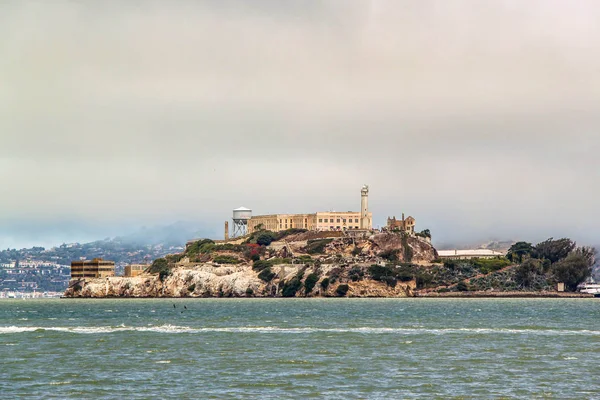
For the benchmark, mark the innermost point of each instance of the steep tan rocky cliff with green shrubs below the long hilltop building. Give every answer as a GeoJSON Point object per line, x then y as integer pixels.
{"type": "Point", "coordinates": [304, 264]}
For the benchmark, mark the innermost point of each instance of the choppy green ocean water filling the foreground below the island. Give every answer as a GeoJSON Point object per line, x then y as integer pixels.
{"type": "Point", "coordinates": [300, 348]}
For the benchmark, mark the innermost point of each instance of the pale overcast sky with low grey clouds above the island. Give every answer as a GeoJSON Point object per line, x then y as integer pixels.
{"type": "Point", "coordinates": [479, 119]}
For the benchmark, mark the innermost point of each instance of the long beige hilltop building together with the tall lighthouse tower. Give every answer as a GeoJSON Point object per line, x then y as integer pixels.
{"type": "Point", "coordinates": [319, 221]}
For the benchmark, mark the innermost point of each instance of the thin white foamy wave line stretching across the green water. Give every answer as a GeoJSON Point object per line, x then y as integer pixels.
{"type": "Point", "coordinates": [299, 330]}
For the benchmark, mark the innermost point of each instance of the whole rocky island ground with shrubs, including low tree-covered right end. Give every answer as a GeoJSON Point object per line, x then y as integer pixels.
{"type": "Point", "coordinates": [297, 263]}
